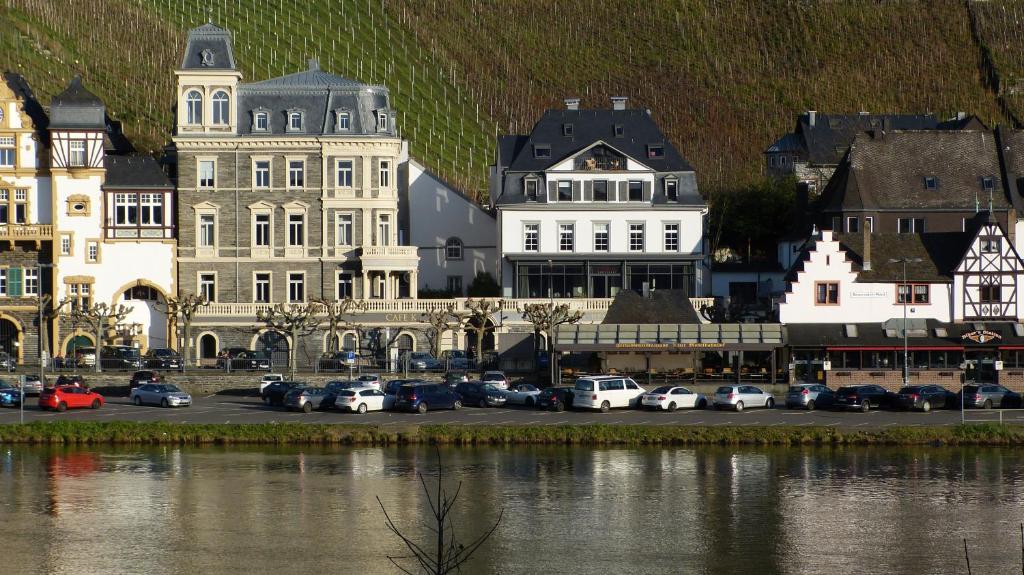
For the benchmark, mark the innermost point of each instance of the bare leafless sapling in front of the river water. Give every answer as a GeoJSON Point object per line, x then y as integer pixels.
{"type": "Point", "coordinates": [449, 555]}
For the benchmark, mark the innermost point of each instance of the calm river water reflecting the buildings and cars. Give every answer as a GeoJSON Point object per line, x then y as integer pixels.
{"type": "Point", "coordinates": [707, 510]}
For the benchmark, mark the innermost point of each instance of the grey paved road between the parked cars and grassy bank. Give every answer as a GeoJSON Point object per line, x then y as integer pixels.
{"type": "Point", "coordinates": [231, 410]}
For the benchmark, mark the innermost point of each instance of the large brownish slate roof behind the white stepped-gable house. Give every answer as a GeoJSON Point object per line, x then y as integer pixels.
{"type": "Point", "coordinates": [887, 170]}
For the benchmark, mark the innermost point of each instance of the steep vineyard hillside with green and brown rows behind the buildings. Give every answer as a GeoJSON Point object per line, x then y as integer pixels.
{"type": "Point", "coordinates": [724, 78]}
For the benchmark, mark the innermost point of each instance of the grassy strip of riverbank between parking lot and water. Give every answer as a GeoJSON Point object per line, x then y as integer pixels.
{"type": "Point", "coordinates": [90, 433]}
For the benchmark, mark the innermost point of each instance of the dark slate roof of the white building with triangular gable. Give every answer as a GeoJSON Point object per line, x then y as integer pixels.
{"type": "Point", "coordinates": [589, 127]}
